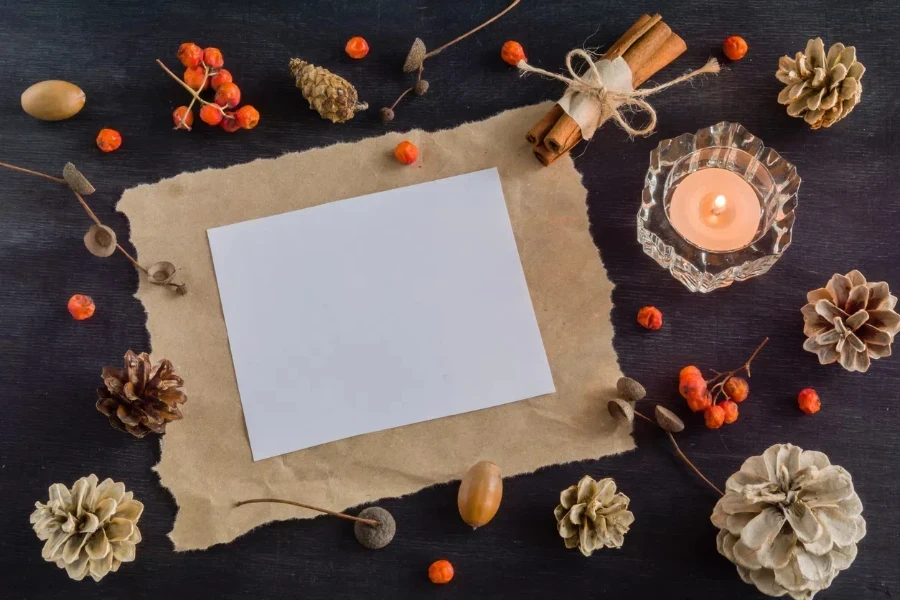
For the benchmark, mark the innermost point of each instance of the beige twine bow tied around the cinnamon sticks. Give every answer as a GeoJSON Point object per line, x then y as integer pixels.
{"type": "Point", "coordinates": [612, 102]}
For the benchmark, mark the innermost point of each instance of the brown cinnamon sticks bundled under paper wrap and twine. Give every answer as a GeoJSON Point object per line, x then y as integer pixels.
{"type": "Point", "coordinates": [648, 46]}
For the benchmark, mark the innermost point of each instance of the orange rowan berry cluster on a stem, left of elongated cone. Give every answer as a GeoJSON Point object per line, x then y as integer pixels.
{"type": "Point", "coordinates": [204, 70]}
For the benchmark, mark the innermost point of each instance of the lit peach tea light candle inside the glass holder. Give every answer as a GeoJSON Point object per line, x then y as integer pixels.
{"type": "Point", "coordinates": [715, 209]}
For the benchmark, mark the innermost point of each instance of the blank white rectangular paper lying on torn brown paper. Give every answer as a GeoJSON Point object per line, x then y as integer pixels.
{"type": "Point", "coordinates": [377, 312]}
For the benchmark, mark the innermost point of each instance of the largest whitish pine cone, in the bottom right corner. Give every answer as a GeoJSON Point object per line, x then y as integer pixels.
{"type": "Point", "coordinates": [789, 521]}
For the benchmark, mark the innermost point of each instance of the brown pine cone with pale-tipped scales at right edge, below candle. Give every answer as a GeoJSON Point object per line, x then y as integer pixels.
{"type": "Point", "coordinates": [850, 321]}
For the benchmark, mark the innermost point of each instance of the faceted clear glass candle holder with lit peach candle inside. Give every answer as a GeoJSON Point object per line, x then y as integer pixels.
{"type": "Point", "coordinates": [717, 207]}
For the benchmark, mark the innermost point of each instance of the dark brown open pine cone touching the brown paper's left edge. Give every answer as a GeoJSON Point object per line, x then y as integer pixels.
{"type": "Point", "coordinates": [139, 398]}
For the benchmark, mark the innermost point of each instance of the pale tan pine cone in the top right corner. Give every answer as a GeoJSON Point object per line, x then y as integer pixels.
{"type": "Point", "coordinates": [821, 89]}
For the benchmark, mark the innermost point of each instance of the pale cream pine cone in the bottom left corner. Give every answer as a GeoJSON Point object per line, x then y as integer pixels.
{"type": "Point", "coordinates": [90, 529]}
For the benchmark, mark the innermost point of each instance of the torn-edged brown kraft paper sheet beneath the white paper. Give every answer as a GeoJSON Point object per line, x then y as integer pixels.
{"type": "Point", "coordinates": [206, 461]}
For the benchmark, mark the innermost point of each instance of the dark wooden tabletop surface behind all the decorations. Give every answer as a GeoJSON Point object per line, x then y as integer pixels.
{"type": "Point", "coordinates": [50, 365]}
